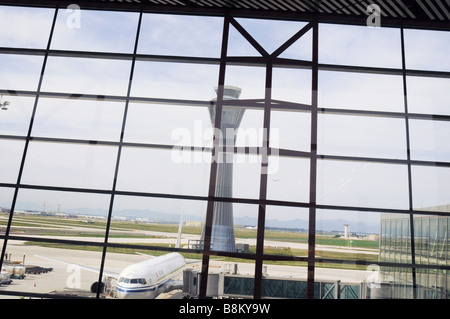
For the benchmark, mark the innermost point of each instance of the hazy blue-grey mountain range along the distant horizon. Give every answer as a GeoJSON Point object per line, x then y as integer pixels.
{"type": "Point", "coordinates": [327, 225]}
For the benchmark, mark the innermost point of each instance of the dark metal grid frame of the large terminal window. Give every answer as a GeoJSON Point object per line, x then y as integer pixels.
{"type": "Point", "coordinates": [267, 104]}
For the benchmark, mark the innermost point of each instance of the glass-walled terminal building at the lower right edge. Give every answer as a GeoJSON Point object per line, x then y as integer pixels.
{"type": "Point", "coordinates": [430, 248]}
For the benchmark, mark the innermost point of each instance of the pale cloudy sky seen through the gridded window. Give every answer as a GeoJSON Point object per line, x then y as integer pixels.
{"type": "Point", "coordinates": [151, 170]}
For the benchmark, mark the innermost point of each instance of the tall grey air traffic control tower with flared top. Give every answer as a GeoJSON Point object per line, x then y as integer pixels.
{"type": "Point", "coordinates": [222, 233]}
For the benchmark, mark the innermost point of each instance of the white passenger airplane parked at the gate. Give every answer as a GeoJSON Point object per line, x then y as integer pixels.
{"type": "Point", "coordinates": [147, 279]}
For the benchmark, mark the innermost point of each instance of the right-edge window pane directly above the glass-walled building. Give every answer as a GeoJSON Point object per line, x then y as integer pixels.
{"type": "Point", "coordinates": [430, 185]}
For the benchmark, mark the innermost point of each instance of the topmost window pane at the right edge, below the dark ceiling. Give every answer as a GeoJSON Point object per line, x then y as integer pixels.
{"type": "Point", "coordinates": [427, 50]}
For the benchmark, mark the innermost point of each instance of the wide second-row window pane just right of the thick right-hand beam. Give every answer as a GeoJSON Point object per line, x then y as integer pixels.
{"type": "Point", "coordinates": [359, 91]}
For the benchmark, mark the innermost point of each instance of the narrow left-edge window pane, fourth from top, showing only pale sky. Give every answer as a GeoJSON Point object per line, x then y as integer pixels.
{"type": "Point", "coordinates": [12, 157]}
